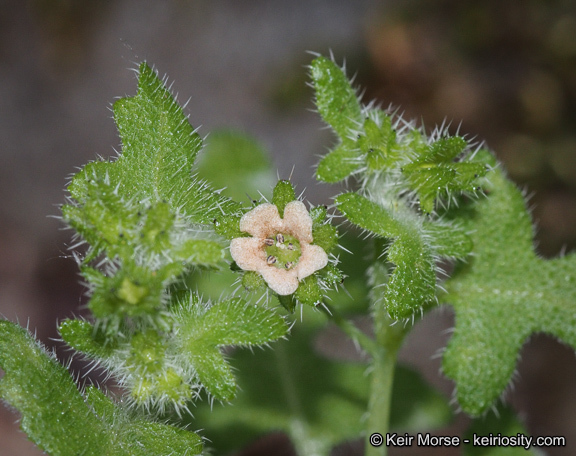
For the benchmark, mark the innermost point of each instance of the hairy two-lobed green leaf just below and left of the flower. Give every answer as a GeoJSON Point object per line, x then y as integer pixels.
{"type": "Point", "coordinates": [201, 331]}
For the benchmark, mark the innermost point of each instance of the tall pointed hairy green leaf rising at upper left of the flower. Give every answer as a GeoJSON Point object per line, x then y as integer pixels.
{"type": "Point", "coordinates": [159, 147]}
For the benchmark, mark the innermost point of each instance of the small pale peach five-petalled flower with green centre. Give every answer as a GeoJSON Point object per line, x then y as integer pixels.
{"type": "Point", "coordinates": [280, 249]}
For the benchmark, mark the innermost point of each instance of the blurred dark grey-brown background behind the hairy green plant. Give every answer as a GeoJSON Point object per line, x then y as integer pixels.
{"type": "Point", "coordinates": [500, 70]}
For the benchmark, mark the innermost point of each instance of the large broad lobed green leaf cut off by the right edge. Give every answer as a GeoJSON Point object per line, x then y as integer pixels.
{"type": "Point", "coordinates": [502, 295]}
